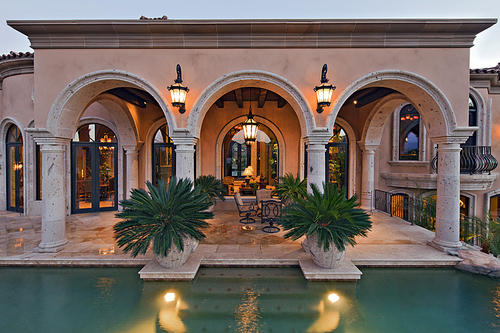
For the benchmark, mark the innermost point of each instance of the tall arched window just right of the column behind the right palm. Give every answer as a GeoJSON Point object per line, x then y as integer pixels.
{"type": "Point", "coordinates": [337, 153]}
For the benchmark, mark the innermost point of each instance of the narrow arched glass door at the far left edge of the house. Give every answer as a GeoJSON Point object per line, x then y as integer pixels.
{"type": "Point", "coordinates": [14, 145]}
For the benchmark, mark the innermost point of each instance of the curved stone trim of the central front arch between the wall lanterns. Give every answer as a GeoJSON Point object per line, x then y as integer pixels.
{"type": "Point", "coordinates": [257, 79]}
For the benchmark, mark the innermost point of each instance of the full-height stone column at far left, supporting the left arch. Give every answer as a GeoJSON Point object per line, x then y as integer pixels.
{"type": "Point", "coordinates": [53, 194]}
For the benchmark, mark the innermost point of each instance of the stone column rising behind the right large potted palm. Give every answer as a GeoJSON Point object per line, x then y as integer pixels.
{"type": "Point", "coordinates": [316, 163]}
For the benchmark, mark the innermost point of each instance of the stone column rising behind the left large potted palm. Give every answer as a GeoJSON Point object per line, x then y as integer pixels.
{"type": "Point", "coordinates": [184, 156]}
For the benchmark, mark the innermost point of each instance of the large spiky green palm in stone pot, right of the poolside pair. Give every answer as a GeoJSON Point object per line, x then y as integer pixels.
{"type": "Point", "coordinates": [329, 221]}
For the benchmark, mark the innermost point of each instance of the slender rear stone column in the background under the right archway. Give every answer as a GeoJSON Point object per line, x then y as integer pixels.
{"type": "Point", "coordinates": [367, 176]}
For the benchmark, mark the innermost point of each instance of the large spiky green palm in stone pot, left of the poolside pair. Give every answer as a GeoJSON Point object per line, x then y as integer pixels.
{"type": "Point", "coordinates": [170, 217]}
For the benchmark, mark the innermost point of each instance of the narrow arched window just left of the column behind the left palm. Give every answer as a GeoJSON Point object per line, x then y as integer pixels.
{"type": "Point", "coordinates": [163, 156]}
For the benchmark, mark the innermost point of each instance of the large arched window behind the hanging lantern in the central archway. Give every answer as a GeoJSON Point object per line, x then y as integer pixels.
{"type": "Point", "coordinates": [259, 159]}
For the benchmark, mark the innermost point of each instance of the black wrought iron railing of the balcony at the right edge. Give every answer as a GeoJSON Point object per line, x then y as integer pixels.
{"type": "Point", "coordinates": [473, 160]}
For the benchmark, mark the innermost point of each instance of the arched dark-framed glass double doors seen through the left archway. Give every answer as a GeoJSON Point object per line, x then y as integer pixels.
{"type": "Point", "coordinates": [94, 155]}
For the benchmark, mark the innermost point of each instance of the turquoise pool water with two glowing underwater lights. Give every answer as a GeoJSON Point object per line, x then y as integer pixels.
{"type": "Point", "coordinates": [246, 300]}
